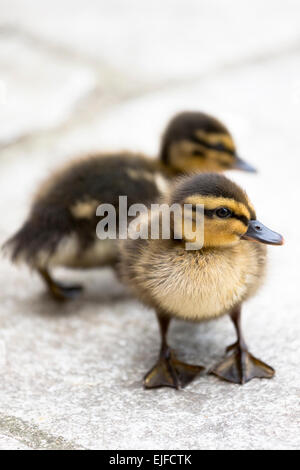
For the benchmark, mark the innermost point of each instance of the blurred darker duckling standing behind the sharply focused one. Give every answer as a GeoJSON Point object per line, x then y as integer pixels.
{"type": "Point", "coordinates": [61, 227]}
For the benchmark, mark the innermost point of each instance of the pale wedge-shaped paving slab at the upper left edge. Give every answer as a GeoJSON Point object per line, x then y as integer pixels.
{"type": "Point", "coordinates": [37, 90]}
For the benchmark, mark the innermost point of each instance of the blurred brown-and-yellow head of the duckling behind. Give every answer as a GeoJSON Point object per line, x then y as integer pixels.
{"type": "Point", "coordinates": [196, 141]}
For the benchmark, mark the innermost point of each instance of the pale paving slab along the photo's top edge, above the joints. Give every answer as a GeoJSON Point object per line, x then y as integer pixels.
{"type": "Point", "coordinates": [159, 41]}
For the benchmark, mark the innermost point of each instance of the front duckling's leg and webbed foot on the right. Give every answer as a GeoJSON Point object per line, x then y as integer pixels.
{"type": "Point", "coordinates": [241, 367]}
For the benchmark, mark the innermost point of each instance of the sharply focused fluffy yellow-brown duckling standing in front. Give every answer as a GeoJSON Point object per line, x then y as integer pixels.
{"type": "Point", "coordinates": [225, 270]}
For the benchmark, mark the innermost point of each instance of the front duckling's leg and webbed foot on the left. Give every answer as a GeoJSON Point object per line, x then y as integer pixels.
{"type": "Point", "coordinates": [169, 371]}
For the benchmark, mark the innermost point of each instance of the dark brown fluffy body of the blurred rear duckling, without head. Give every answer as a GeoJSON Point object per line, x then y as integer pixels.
{"type": "Point", "coordinates": [64, 212]}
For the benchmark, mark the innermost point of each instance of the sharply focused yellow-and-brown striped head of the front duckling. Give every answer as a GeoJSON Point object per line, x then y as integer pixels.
{"type": "Point", "coordinates": [229, 216]}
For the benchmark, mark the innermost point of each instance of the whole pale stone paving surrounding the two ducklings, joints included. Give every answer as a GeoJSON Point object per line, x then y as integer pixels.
{"type": "Point", "coordinates": [78, 76]}
